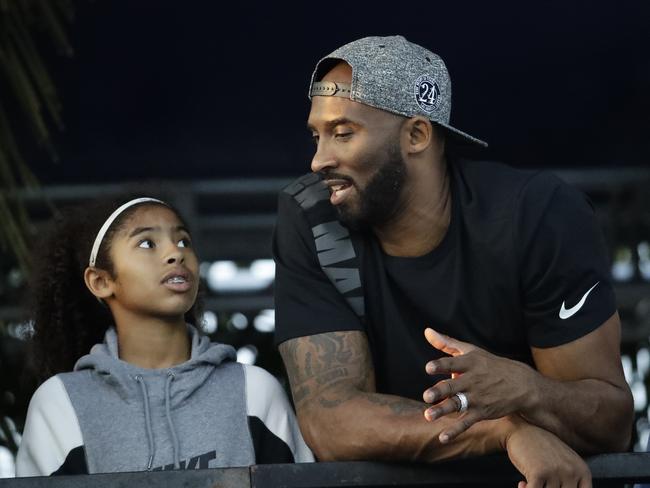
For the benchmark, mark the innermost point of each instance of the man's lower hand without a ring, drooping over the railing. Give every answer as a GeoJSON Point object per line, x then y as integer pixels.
{"type": "Point", "coordinates": [545, 460]}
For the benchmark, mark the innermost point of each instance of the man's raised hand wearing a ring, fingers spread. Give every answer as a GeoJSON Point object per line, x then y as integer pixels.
{"type": "Point", "coordinates": [494, 386]}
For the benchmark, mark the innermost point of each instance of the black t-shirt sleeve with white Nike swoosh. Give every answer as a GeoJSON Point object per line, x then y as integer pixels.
{"type": "Point", "coordinates": [564, 263]}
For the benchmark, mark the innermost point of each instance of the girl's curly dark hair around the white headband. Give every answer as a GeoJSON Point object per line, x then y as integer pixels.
{"type": "Point", "coordinates": [67, 318]}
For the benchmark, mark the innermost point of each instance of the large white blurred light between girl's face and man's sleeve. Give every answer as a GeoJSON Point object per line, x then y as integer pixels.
{"type": "Point", "coordinates": [225, 276]}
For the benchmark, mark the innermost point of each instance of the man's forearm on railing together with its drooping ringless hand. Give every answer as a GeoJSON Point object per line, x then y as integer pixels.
{"type": "Point", "coordinates": [382, 427]}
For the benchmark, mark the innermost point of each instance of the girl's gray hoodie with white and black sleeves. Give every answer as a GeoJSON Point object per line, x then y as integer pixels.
{"type": "Point", "coordinates": [108, 415]}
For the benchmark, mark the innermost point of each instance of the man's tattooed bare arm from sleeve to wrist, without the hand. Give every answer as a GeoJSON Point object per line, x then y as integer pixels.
{"type": "Point", "coordinates": [343, 418]}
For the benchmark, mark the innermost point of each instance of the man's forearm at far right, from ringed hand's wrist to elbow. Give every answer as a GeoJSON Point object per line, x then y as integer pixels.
{"type": "Point", "coordinates": [589, 415]}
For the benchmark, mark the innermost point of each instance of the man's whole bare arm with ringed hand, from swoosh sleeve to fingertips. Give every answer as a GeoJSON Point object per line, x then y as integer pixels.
{"type": "Point", "coordinates": [577, 392]}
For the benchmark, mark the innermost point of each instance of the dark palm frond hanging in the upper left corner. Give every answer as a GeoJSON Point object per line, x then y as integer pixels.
{"type": "Point", "coordinates": [29, 95]}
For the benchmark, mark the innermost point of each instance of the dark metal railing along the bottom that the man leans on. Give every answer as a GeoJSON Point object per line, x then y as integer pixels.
{"type": "Point", "coordinates": [607, 470]}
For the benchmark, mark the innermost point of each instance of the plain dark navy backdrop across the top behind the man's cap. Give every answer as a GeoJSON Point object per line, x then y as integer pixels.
{"type": "Point", "coordinates": [196, 90]}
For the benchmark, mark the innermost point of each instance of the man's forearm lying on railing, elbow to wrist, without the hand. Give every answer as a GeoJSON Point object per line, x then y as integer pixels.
{"type": "Point", "coordinates": [356, 425]}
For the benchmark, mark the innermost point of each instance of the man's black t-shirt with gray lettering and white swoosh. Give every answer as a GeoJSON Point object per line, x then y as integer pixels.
{"type": "Point", "coordinates": [522, 250]}
